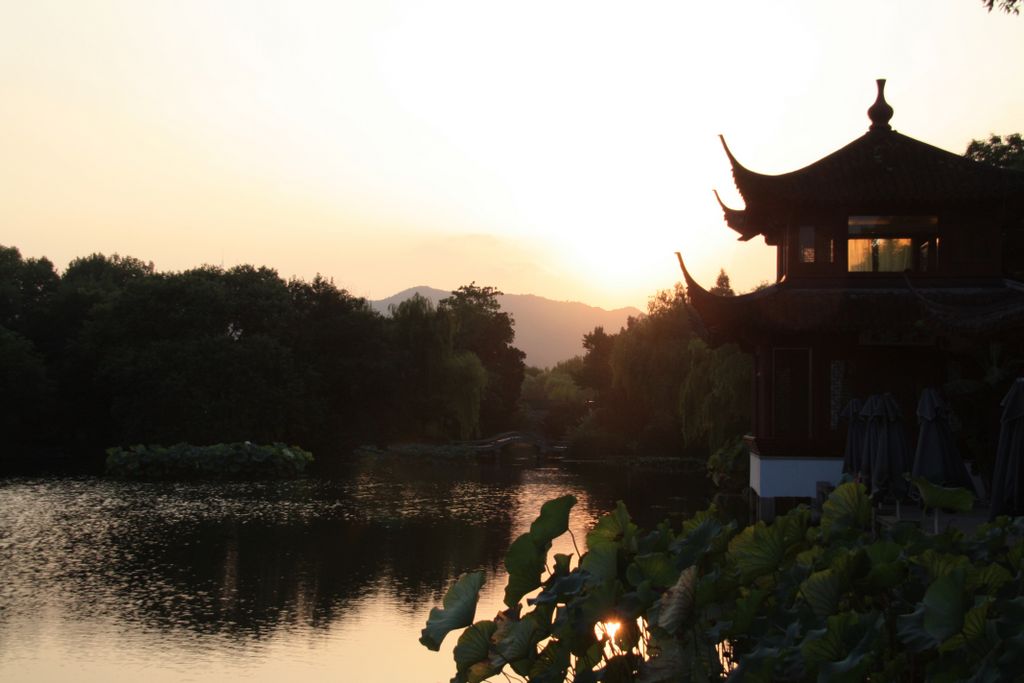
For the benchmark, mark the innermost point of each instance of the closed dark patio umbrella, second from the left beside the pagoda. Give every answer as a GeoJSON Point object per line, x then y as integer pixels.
{"type": "Point", "coordinates": [887, 453]}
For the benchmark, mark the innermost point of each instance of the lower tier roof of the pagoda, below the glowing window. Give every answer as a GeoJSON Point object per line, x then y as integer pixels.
{"type": "Point", "coordinates": [976, 311]}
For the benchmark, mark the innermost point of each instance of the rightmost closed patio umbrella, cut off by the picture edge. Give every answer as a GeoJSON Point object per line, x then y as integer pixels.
{"type": "Point", "coordinates": [1008, 479]}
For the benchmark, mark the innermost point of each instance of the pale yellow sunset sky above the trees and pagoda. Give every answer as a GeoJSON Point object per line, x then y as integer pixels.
{"type": "Point", "coordinates": [560, 149]}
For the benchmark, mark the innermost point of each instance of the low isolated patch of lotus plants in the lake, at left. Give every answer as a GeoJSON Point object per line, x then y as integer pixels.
{"type": "Point", "coordinates": [223, 461]}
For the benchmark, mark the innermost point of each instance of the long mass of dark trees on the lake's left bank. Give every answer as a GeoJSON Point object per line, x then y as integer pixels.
{"type": "Point", "coordinates": [112, 352]}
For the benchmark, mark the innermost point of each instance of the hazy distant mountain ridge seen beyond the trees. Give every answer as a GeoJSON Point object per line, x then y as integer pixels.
{"type": "Point", "coordinates": [548, 331]}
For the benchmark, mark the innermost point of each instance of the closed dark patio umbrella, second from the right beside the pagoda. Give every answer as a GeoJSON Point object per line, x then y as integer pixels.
{"type": "Point", "coordinates": [937, 458]}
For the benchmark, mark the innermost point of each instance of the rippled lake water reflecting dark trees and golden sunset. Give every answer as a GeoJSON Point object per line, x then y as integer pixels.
{"type": "Point", "coordinates": [327, 579]}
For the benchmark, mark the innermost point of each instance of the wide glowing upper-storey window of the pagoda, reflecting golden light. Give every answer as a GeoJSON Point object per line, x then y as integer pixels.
{"type": "Point", "coordinates": [891, 244]}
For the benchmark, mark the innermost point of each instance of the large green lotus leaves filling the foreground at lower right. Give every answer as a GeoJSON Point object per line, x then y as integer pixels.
{"type": "Point", "coordinates": [800, 600]}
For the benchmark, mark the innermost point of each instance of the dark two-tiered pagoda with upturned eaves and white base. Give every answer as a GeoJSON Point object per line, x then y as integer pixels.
{"type": "Point", "coordinates": [891, 255]}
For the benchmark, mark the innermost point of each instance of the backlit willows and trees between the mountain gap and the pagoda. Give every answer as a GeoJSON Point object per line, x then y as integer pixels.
{"type": "Point", "coordinates": [659, 390]}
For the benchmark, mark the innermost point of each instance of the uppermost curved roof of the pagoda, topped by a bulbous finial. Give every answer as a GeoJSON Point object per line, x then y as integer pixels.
{"type": "Point", "coordinates": [879, 170]}
